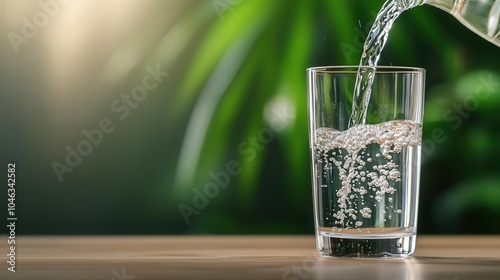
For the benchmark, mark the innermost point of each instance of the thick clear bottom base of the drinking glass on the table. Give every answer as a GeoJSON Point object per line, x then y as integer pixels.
{"type": "Point", "coordinates": [329, 246]}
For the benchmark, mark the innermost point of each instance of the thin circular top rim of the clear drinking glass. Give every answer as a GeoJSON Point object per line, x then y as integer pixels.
{"type": "Point", "coordinates": [350, 69]}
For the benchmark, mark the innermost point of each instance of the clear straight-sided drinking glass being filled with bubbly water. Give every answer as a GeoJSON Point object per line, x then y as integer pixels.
{"type": "Point", "coordinates": [365, 178]}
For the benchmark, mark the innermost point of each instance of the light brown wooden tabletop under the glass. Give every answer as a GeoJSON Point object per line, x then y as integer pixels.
{"type": "Point", "coordinates": [241, 257]}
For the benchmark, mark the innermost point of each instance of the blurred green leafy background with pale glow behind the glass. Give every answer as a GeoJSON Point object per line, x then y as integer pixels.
{"type": "Point", "coordinates": [234, 68]}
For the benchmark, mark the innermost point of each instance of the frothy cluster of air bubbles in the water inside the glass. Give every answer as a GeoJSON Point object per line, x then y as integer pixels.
{"type": "Point", "coordinates": [350, 150]}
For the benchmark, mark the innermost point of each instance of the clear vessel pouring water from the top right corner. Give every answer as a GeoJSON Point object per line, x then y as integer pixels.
{"type": "Point", "coordinates": [480, 16]}
